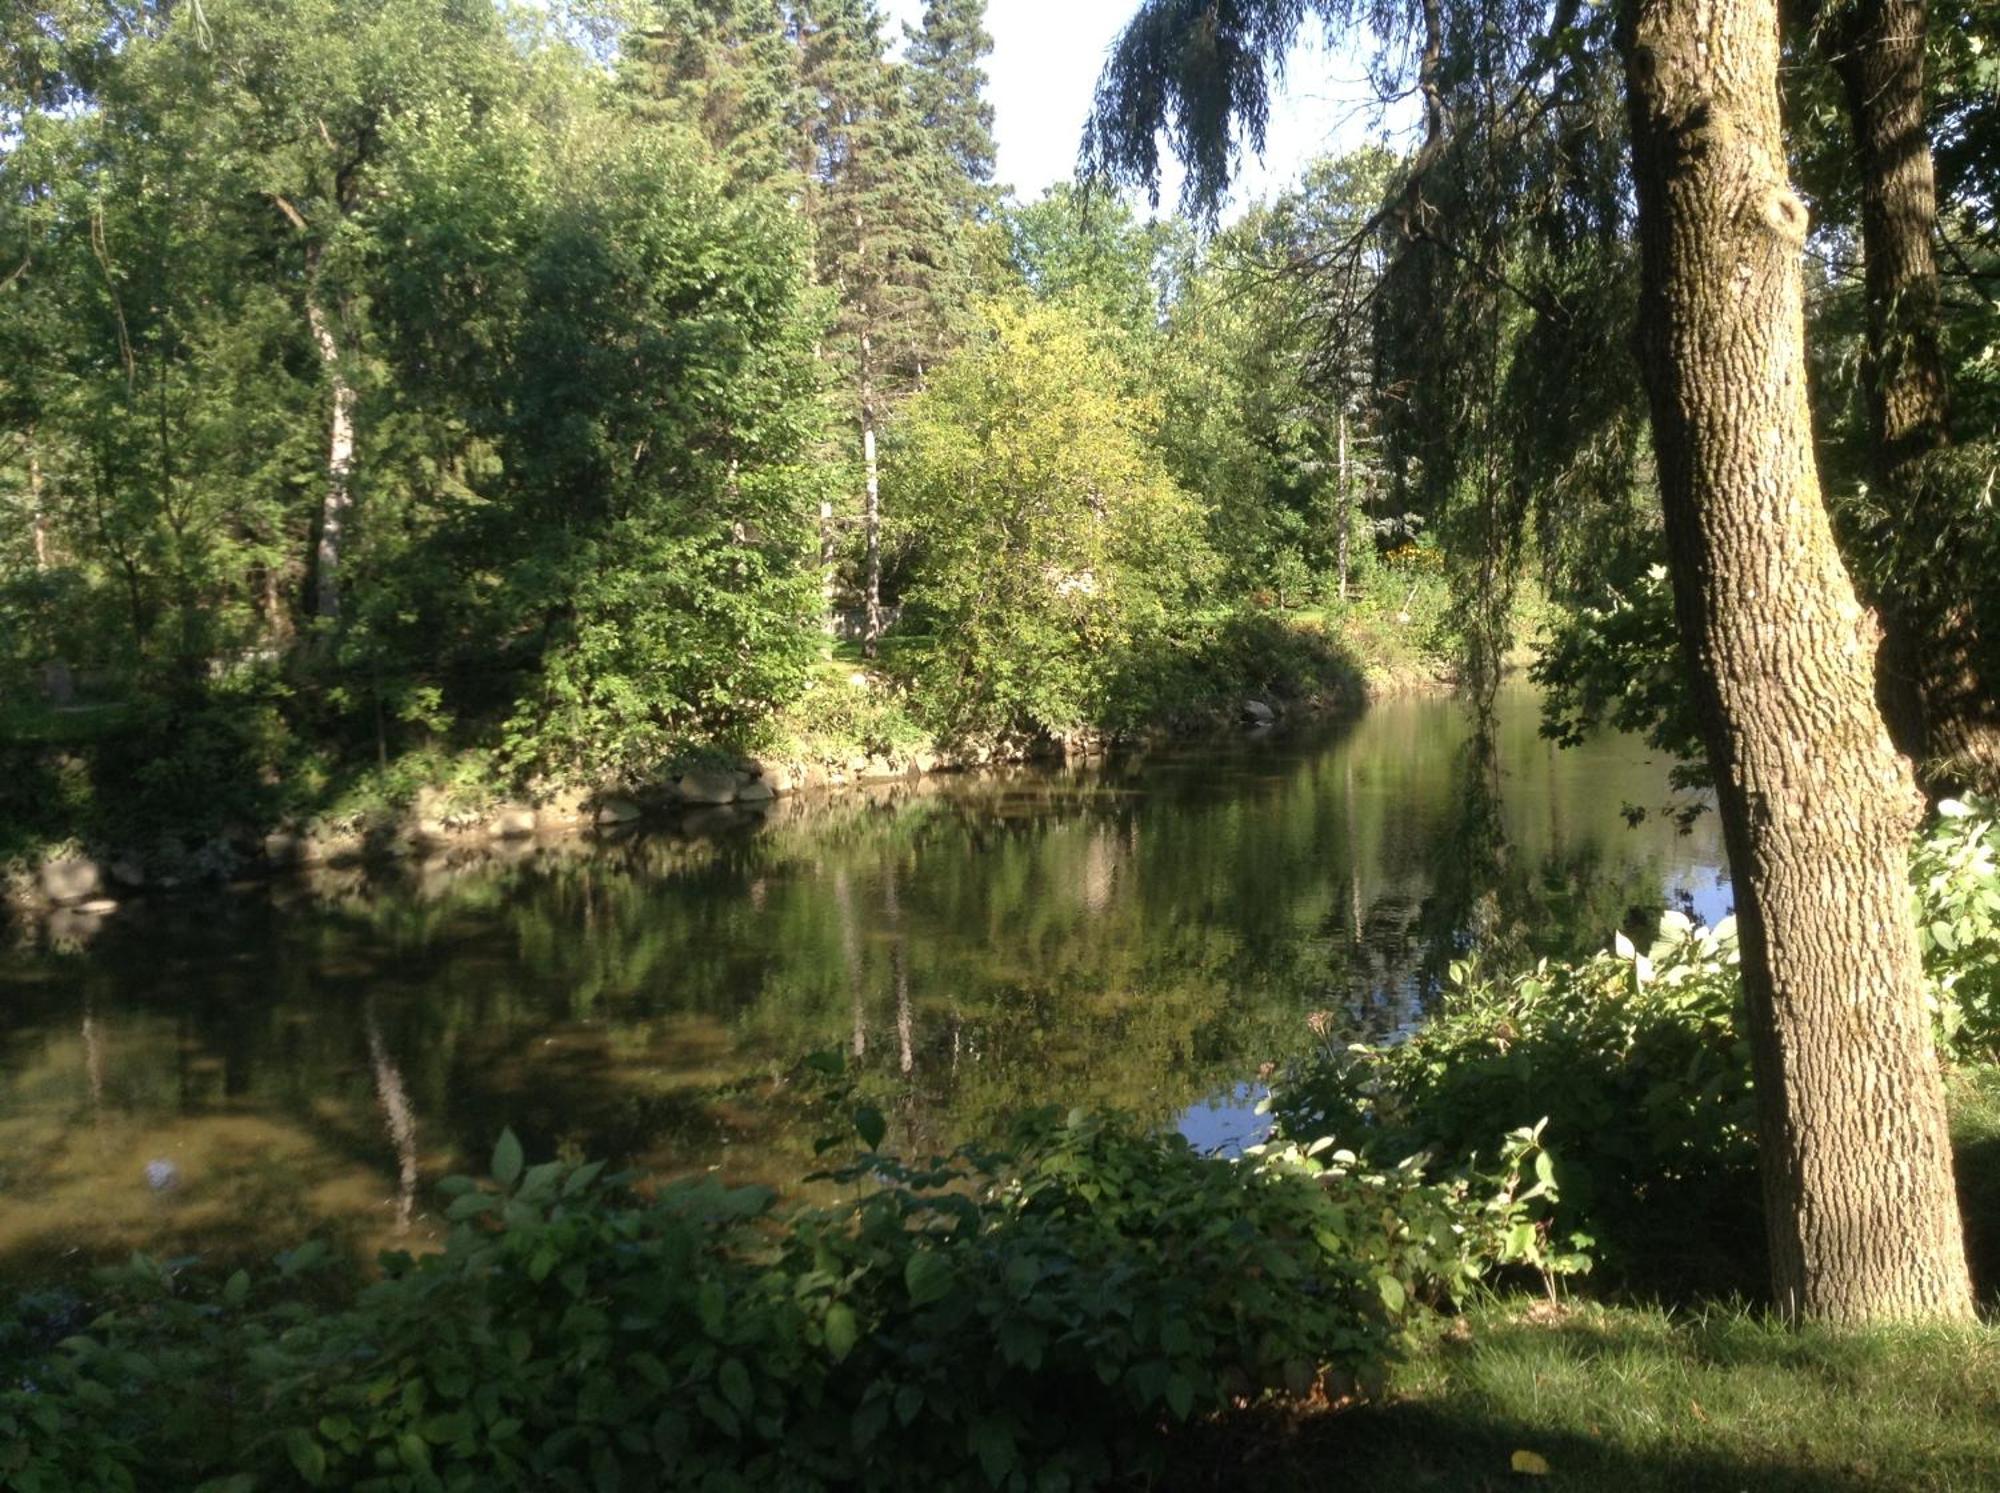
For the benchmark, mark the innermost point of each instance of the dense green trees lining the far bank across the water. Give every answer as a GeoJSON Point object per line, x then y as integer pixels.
{"type": "Point", "coordinates": [497, 399]}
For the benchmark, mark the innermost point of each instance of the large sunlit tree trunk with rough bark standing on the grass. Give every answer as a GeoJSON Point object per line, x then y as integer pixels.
{"type": "Point", "coordinates": [1817, 804]}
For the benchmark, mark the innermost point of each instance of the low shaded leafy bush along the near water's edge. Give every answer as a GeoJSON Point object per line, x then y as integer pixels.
{"type": "Point", "coordinates": [977, 1322]}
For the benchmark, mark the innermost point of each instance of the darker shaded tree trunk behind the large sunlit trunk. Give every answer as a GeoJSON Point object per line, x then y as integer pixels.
{"type": "Point", "coordinates": [1935, 691]}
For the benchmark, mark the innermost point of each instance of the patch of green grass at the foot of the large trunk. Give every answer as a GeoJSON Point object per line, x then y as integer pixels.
{"type": "Point", "coordinates": [1639, 1400]}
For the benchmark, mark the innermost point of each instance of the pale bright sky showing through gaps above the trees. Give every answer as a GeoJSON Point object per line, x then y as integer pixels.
{"type": "Point", "coordinates": [1045, 69]}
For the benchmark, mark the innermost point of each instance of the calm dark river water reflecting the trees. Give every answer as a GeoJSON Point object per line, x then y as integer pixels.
{"type": "Point", "coordinates": [229, 1074]}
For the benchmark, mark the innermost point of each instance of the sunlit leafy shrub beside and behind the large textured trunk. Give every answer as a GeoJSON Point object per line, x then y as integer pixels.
{"type": "Point", "coordinates": [1641, 1066]}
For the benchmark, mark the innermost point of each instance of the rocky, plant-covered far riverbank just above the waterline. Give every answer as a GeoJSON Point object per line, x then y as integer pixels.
{"type": "Point", "coordinates": [99, 842]}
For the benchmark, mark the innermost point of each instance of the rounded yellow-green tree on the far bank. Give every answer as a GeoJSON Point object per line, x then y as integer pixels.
{"type": "Point", "coordinates": [1053, 539]}
